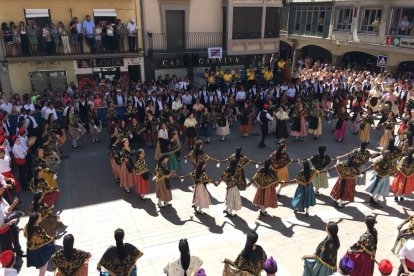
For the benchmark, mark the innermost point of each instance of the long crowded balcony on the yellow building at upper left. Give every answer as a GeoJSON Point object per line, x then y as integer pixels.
{"type": "Point", "coordinates": [68, 47]}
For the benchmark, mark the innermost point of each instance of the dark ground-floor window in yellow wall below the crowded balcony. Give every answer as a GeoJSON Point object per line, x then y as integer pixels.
{"type": "Point", "coordinates": [54, 81]}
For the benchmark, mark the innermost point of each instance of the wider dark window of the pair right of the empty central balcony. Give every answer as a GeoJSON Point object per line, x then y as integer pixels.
{"type": "Point", "coordinates": [247, 23]}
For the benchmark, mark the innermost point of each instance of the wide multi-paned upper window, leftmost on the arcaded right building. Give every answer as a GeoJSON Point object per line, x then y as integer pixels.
{"type": "Point", "coordinates": [310, 20]}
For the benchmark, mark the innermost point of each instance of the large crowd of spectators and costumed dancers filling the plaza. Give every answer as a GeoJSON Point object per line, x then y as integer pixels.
{"type": "Point", "coordinates": [167, 114]}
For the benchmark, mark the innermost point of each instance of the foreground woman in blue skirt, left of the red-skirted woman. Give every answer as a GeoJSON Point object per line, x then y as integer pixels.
{"type": "Point", "coordinates": [323, 261]}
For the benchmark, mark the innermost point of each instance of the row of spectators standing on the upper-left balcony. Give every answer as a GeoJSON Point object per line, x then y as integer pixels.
{"type": "Point", "coordinates": [102, 36]}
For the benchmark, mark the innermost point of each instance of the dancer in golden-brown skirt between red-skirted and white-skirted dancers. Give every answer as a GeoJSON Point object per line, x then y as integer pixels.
{"type": "Point", "coordinates": [162, 181]}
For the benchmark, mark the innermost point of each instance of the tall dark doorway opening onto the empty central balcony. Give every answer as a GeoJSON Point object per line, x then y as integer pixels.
{"type": "Point", "coordinates": [175, 27]}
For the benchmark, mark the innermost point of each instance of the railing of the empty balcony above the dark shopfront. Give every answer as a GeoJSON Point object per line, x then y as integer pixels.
{"type": "Point", "coordinates": [161, 42]}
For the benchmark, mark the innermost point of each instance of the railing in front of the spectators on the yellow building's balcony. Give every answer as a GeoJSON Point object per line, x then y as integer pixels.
{"type": "Point", "coordinates": [67, 45]}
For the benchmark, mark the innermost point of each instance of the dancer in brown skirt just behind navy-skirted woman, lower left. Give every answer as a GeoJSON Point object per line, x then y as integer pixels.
{"type": "Point", "coordinates": [50, 223]}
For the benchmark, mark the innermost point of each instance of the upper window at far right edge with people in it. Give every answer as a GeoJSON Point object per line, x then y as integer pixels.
{"type": "Point", "coordinates": [402, 22]}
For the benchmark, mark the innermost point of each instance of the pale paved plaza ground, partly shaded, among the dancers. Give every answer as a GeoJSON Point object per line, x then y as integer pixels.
{"type": "Point", "coordinates": [93, 206]}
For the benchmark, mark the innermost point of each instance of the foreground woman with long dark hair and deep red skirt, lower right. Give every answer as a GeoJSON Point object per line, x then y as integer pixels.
{"type": "Point", "coordinates": [363, 252]}
